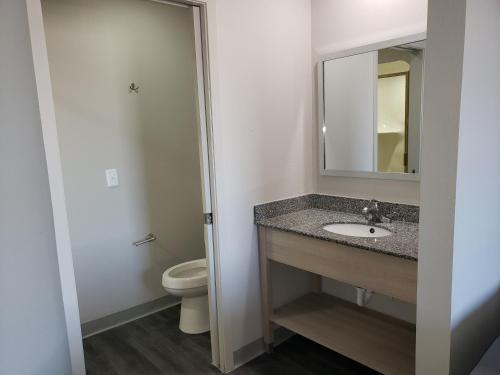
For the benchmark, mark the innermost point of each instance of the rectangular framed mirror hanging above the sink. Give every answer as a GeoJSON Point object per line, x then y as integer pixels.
{"type": "Point", "coordinates": [370, 111]}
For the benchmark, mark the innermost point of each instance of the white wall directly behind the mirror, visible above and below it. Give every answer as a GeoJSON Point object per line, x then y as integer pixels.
{"type": "Point", "coordinates": [343, 24]}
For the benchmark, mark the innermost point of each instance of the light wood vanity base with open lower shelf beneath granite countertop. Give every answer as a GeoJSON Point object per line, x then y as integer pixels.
{"type": "Point", "coordinates": [376, 340]}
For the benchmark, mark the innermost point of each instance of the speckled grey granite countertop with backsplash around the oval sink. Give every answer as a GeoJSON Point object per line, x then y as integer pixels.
{"type": "Point", "coordinates": [307, 215]}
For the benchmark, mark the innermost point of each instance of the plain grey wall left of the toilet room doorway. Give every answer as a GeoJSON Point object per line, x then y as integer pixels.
{"type": "Point", "coordinates": [32, 328]}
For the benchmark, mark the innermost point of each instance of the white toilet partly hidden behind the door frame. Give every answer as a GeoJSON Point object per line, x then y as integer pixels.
{"type": "Point", "coordinates": [189, 281]}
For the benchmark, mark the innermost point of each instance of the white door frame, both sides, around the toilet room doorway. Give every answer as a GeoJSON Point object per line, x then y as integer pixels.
{"type": "Point", "coordinates": [220, 355]}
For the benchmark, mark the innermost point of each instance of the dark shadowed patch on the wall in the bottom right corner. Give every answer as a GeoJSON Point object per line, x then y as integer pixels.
{"type": "Point", "coordinates": [472, 337]}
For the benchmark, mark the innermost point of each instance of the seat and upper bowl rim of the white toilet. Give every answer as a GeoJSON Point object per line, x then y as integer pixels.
{"type": "Point", "coordinates": [186, 275]}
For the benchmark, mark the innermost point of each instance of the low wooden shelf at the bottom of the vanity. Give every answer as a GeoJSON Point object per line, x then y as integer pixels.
{"type": "Point", "coordinates": [376, 340]}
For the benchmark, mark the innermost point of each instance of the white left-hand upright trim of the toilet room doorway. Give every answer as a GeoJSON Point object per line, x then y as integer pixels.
{"type": "Point", "coordinates": [53, 157]}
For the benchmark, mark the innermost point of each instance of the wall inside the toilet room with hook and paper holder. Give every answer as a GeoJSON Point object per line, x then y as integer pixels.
{"type": "Point", "coordinates": [95, 52]}
